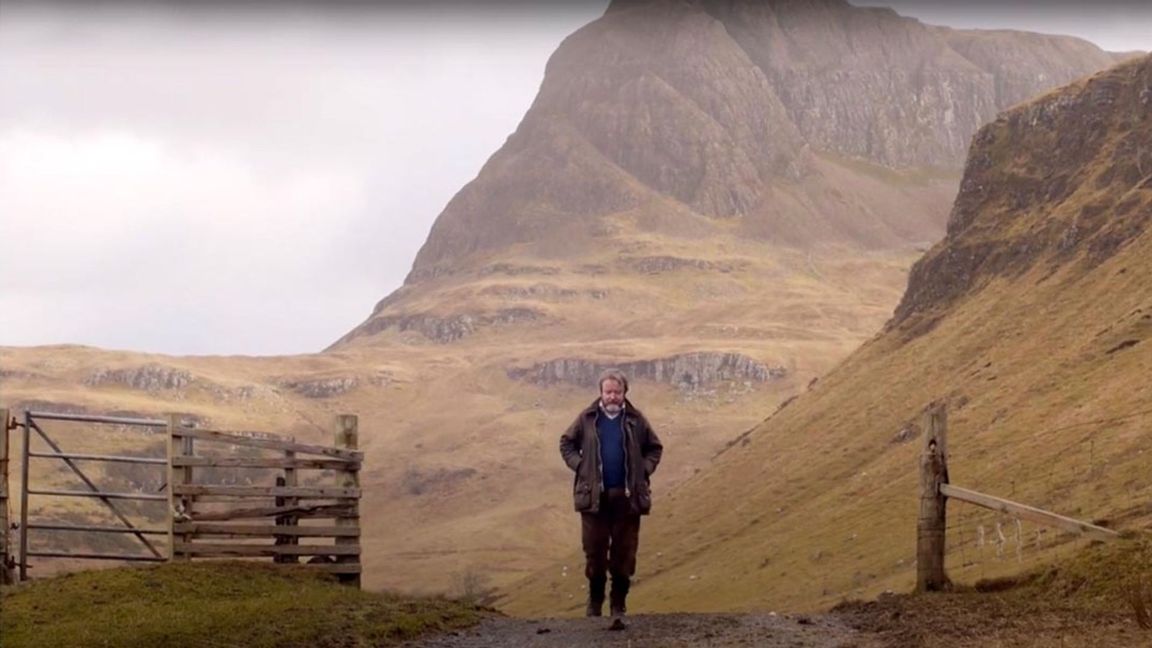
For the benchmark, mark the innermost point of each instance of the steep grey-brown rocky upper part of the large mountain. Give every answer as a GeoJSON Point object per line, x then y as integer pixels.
{"type": "Point", "coordinates": [716, 106]}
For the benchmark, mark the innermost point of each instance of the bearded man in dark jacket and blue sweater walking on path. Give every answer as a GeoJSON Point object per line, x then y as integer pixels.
{"type": "Point", "coordinates": [613, 450]}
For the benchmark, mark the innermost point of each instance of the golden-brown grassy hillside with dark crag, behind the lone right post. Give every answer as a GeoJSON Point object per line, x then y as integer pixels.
{"type": "Point", "coordinates": [1033, 321]}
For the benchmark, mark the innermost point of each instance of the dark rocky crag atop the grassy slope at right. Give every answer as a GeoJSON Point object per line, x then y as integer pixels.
{"type": "Point", "coordinates": [1063, 180]}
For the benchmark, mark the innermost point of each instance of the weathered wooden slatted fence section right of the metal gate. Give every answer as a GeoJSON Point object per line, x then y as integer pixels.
{"type": "Point", "coordinates": [321, 491]}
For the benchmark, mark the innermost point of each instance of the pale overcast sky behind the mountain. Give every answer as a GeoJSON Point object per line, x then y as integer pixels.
{"type": "Point", "coordinates": [209, 183]}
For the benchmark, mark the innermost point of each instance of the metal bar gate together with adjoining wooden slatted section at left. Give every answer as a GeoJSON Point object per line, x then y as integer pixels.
{"type": "Point", "coordinates": [209, 511]}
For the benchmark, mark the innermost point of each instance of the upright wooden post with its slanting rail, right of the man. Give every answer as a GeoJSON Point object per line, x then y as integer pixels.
{"type": "Point", "coordinates": [936, 492]}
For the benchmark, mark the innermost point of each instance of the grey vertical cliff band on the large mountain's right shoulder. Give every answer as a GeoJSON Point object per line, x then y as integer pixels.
{"type": "Point", "coordinates": [890, 89]}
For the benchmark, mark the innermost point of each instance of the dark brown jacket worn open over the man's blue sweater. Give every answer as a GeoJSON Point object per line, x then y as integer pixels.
{"type": "Point", "coordinates": [580, 447]}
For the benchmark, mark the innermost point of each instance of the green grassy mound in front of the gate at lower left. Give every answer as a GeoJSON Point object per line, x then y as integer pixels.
{"type": "Point", "coordinates": [216, 605]}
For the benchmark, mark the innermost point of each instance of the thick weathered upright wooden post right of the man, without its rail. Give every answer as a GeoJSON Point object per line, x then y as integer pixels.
{"type": "Point", "coordinates": [930, 530]}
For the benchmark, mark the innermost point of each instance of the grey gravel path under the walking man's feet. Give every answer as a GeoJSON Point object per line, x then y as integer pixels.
{"type": "Point", "coordinates": [766, 630]}
